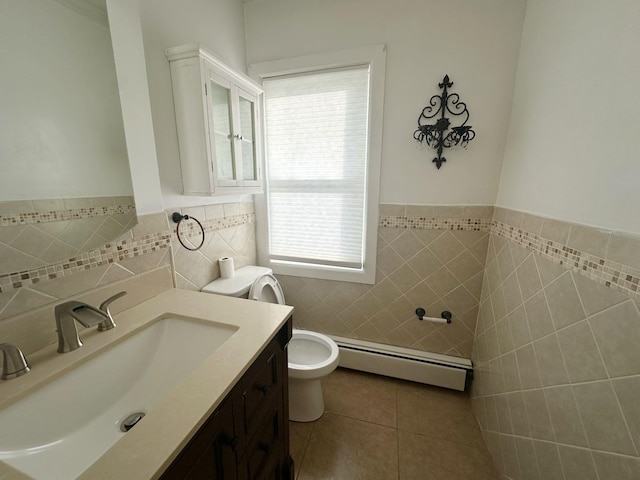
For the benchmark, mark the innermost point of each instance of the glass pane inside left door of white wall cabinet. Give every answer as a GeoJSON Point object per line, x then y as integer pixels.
{"type": "Point", "coordinates": [221, 132]}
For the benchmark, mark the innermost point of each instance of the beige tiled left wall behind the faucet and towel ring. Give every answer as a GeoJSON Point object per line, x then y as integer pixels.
{"type": "Point", "coordinates": [145, 261]}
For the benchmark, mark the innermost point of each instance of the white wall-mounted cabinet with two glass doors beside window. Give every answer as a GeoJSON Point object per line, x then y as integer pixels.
{"type": "Point", "coordinates": [218, 123]}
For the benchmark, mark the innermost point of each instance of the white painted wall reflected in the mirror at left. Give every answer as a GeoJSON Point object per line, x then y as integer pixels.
{"type": "Point", "coordinates": [61, 130]}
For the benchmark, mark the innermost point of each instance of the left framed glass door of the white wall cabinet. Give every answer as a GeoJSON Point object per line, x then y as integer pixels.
{"type": "Point", "coordinates": [221, 130]}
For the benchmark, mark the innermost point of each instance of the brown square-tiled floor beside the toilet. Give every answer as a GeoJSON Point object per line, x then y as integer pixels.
{"type": "Point", "coordinates": [379, 428]}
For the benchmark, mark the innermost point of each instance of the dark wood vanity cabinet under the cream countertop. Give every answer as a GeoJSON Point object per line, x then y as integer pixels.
{"type": "Point", "coordinates": [247, 437]}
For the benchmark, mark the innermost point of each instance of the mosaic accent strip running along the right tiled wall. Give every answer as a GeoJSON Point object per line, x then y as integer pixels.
{"type": "Point", "coordinates": [603, 271]}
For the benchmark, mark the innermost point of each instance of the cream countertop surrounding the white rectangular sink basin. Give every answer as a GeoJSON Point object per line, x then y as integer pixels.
{"type": "Point", "coordinates": [146, 451]}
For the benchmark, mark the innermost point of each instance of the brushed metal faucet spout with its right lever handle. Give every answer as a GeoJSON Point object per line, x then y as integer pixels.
{"type": "Point", "coordinates": [69, 312]}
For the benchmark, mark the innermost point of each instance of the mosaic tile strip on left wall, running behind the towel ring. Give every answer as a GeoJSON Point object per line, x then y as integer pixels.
{"type": "Point", "coordinates": [112, 252]}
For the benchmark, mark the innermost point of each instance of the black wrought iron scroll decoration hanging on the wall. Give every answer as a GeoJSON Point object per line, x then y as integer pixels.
{"type": "Point", "coordinates": [437, 135]}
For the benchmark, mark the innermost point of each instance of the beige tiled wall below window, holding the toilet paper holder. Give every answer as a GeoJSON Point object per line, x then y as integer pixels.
{"type": "Point", "coordinates": [428, 256]}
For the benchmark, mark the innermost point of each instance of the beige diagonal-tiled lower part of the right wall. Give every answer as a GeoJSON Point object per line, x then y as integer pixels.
{"type": "Point", "coordinates": [557, 363]}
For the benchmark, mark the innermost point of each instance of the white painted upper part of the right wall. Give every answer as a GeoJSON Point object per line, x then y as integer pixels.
{"type": "Point", "coordinates": [572, 150]}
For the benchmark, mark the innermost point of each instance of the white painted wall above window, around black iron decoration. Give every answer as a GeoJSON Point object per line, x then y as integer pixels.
{"type": "Point", "coordinates": [476, 43]}
